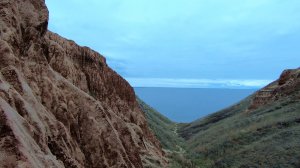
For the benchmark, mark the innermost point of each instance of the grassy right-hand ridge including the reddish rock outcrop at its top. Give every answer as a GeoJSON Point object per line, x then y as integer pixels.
{"type": "Point", "coordinates": [262, 130]}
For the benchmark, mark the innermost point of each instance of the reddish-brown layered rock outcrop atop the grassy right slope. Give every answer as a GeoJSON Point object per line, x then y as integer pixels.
{"type": "Point", "coordinates": [288, 82]}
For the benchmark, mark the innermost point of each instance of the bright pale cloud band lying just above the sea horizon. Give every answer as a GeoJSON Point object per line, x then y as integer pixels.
{"type": "Point", "coordinates": [196, 83]}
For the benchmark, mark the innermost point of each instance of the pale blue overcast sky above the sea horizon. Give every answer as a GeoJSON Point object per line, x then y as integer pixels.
{"type": "Point", "coordinates": [186, 43]}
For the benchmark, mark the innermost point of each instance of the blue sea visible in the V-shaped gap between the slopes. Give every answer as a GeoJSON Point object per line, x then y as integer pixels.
{"type": "Point", "coordinates": [189, 104]}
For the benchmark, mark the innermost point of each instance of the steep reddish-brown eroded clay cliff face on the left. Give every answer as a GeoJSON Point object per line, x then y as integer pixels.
{"type": "Point", "coordinates": [60, 104]}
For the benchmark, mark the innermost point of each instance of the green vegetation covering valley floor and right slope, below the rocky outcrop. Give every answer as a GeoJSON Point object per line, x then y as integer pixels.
{"type": "Point", "coordinates": [234, 137]}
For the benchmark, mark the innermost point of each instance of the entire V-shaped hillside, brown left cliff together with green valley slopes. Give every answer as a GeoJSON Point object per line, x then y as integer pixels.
{"type": "Point", "coordinates": [61, 105]}
